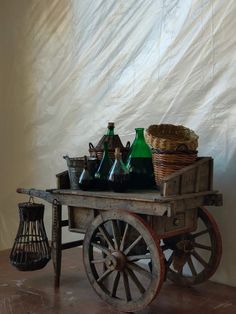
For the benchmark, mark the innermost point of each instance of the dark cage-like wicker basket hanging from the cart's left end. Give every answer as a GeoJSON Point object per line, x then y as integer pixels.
{"type": "Point", "coordinates": [31, 249]}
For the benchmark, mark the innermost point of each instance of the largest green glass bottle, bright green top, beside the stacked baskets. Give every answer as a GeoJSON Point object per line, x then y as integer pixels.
{"type": "Point", "coordinates": [139, 163]}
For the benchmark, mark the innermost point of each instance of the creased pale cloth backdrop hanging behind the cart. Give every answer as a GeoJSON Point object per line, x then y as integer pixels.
{"type": "Point", "coordinates": [68, 67]}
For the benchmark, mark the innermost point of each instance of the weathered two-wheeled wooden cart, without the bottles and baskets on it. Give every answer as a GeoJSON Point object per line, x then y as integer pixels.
{"type": "Point", "coordinates": [134, 241]}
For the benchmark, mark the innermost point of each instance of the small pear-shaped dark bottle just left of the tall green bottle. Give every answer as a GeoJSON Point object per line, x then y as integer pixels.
{"type": "Point", "coordinates": [119, 174]}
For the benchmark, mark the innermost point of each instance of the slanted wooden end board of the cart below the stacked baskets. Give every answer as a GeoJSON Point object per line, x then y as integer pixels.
{"type": "Point", "coordinates": [195, 178]}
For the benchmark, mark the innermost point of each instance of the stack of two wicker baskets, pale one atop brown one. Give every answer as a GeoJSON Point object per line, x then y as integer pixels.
{"type": "Point", "coordinates": [173, 147]}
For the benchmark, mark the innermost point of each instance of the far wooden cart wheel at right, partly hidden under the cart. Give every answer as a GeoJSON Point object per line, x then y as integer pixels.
{"type": "Point", "coordinates": [194, 257]}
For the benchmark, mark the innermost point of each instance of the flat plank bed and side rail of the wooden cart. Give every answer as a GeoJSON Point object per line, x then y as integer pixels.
{"type": "Point", "coordinates": [151, 204]}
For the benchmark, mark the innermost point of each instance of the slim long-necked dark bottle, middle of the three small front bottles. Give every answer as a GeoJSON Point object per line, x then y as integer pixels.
{"type": "Point", "coordinates": [101, 175]}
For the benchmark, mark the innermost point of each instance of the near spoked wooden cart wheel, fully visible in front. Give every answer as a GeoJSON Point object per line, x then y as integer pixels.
{"type": "Point", "coordinates": [118, 249]}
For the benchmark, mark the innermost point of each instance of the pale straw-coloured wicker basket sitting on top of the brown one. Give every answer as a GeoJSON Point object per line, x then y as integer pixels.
{"type": "Point", "coordinates": [171, 137]}
